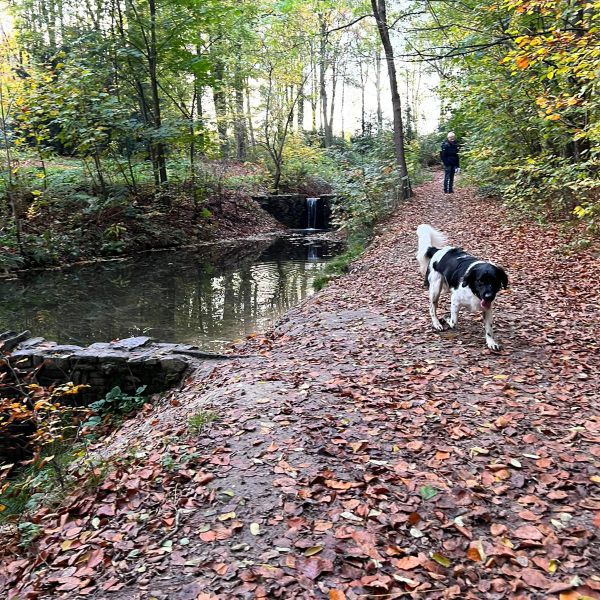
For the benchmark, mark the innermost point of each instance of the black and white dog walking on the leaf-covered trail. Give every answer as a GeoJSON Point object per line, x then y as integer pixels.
{"type": "Point", "coordinates": [472, 283]}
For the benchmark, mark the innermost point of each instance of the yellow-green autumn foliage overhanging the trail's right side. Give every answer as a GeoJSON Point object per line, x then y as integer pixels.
{"type": "Point", "coordinates": [521, 80]}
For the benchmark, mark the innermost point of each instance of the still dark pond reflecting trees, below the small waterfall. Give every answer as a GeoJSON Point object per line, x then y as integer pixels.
{"type": "Point", "coordinates": [208, 296]}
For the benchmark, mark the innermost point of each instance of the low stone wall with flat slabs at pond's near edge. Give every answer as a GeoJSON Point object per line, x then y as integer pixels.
{"type": "Point", "coordinates": [127, 363]}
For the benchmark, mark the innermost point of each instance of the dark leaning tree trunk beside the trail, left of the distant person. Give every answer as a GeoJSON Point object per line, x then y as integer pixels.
{"type": "Point", "coordinates": [379, 12]}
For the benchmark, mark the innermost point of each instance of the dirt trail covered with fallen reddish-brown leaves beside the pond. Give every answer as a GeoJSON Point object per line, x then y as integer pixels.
{"type": "Point", "coordinates": [359, 454]}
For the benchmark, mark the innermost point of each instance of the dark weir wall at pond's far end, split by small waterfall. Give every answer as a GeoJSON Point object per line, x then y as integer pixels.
{"type": "Point", "coordinates": [292, 211]}
